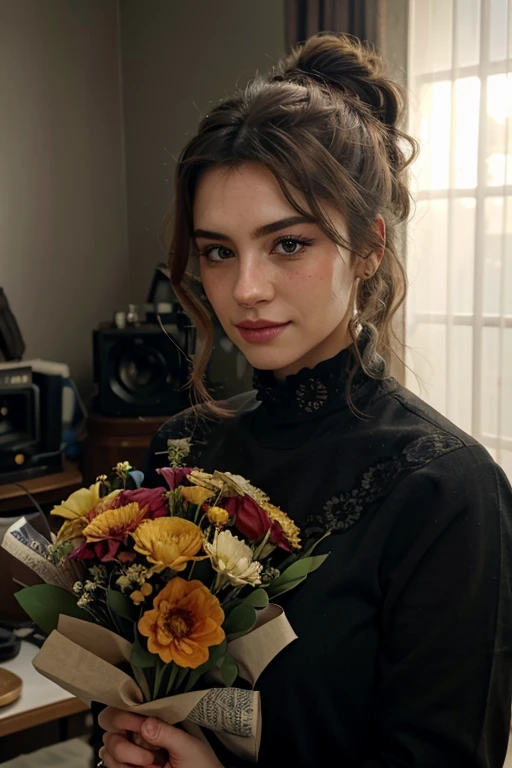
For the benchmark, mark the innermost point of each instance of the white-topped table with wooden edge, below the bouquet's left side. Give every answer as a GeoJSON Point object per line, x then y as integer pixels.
{"type": "Point", "coordinates": [41, 700]}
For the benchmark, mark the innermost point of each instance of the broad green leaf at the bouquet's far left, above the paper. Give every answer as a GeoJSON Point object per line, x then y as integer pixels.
{"type": "Point", "coordinates": [44, 603]}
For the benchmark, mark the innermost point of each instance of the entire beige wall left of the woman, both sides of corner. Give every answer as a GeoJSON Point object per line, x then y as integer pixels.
{"type": "Point", "coordinates": [65, 263]}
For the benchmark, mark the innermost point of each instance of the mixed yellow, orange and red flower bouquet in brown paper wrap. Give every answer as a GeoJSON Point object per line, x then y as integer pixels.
{"type": "Point", "coordinates": [157, 600]}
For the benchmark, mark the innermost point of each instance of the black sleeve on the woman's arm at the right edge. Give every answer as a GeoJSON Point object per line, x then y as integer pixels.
{"type": "Point", "coordinates": [444, 668]}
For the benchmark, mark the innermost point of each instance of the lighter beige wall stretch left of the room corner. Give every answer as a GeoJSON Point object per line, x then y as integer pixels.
{"type": "Point", "coordinates": [63, 244]}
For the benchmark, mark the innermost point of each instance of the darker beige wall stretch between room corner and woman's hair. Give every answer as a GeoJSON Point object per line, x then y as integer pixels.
{"type": "Point", "coordinates": [178, 59]}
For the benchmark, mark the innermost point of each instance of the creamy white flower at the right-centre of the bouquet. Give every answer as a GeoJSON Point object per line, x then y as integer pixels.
{"type": "Point", "coordinates": [232, 559]}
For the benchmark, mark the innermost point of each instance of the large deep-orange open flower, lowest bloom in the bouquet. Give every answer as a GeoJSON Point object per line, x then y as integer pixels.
{"type": "Point", "coordinates": [185, 621]}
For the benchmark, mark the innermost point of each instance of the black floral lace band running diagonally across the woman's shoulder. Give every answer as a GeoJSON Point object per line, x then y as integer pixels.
{"type": "Point", "coordinates": [344, 509]}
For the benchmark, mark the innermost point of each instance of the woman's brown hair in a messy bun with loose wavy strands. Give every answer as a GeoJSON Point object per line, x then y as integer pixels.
{"type": "Point", "coordinates": [331, 95]}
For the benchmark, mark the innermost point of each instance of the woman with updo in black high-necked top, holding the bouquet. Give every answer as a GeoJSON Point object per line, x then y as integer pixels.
{"type": "Point", "coordinates": [290, 195]}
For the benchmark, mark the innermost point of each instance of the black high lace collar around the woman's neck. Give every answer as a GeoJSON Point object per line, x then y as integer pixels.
{"type": "Point", "coordinates": [312, 392]}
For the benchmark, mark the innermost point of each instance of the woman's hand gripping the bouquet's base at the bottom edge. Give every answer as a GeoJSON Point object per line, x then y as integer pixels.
{"type": "Point", "coordinates": [184, 751]}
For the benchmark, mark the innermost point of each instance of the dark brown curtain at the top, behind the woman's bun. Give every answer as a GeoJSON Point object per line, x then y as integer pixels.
{"type": "Point", "coordinates": [362, 18]}
